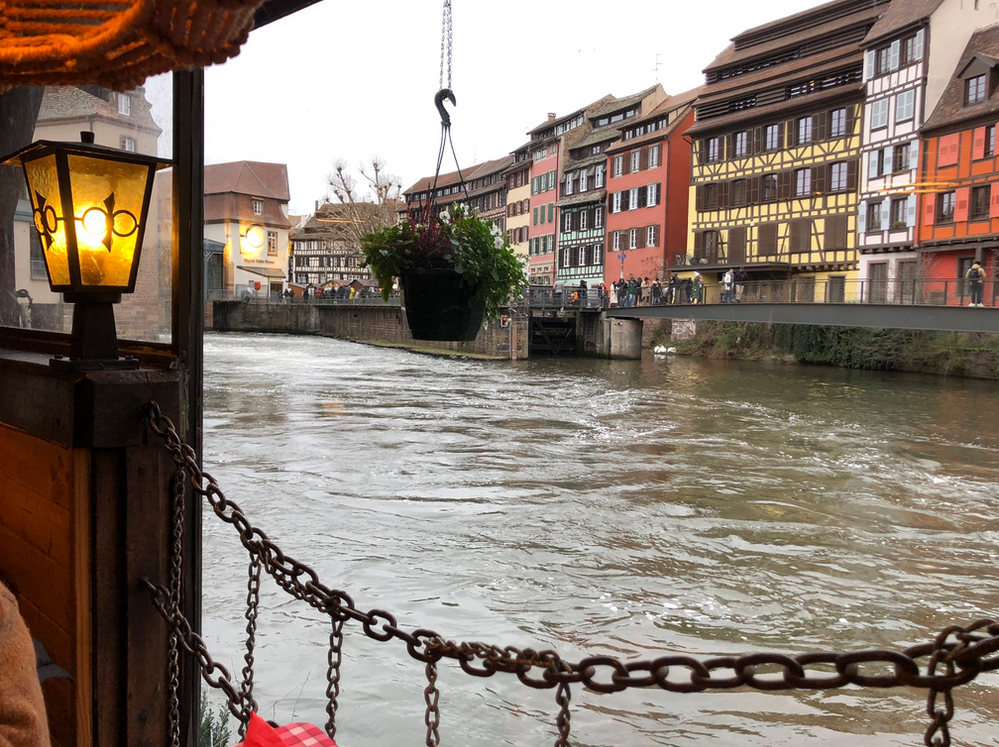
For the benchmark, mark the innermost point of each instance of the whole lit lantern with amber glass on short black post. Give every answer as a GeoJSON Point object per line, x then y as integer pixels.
{"type": "Point", "coordinates": [89, 205]}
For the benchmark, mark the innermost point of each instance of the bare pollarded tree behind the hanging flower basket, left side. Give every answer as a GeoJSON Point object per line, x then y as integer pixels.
{"type": "Point", "coordinates": [369, 204]}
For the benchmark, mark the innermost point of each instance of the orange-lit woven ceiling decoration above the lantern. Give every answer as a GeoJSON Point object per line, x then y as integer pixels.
{"type": "Point", "coordinates": [116, 44]}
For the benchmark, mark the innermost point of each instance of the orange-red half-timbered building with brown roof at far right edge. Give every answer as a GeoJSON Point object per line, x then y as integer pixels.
{"type": "Point", "coordinates": [959, 221]}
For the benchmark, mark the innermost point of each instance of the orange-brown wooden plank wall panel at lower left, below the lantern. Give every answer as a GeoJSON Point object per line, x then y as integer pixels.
{"type": "Point", "coordinates": [44, 550]}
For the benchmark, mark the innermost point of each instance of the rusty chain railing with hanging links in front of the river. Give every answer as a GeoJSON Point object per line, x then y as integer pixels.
{"type": "Point", "coordinates": [955, 657]}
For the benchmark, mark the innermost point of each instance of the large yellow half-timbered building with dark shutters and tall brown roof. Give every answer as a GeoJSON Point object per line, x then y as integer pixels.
{"type": "Point", "coordinates": [777, 150]}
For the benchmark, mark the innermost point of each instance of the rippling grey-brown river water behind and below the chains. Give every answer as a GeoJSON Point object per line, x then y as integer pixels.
{"type": "Point", "coordinates": [629, 508]}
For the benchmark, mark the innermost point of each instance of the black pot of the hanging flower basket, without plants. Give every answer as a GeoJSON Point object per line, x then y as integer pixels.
{"type": "Point", "coordinates": [441, 306]}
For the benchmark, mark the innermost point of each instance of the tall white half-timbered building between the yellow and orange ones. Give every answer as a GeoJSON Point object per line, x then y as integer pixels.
{"type": "Point", "coordinates": [905, 76]}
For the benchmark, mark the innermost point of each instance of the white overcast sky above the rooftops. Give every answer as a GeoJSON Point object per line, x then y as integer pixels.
{"type": "Point", "coordinates": [354, 80]}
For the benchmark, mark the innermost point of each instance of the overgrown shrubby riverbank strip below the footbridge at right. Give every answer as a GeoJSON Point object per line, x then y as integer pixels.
{"type": "Point", "coordinates": [951, 353]}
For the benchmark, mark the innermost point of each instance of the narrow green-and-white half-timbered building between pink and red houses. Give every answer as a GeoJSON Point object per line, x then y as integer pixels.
{"type": "Point", "coordinates": [583, 197]}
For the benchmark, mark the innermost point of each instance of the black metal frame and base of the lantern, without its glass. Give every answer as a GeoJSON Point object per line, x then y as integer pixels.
{"type": "Point", "coordinates": [94, 340]}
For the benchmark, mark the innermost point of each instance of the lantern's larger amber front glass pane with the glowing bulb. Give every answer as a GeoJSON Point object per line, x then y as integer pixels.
{"type": "Point", "coordinates": [107, 202]}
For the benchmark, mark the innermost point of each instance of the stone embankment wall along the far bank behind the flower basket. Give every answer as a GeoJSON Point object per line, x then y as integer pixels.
{"type": "Point", "coordinates": [374, 324]}
